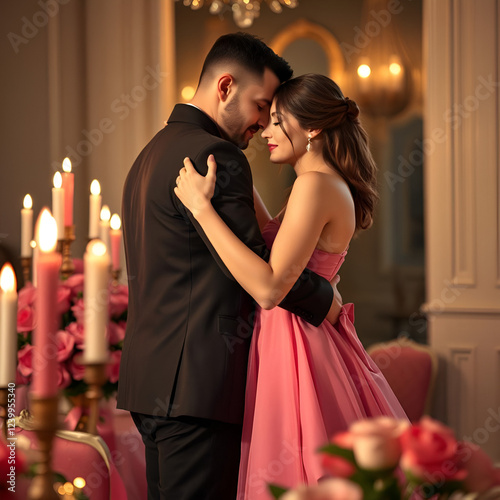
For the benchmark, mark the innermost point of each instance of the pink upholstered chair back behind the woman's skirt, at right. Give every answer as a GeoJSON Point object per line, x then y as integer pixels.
{"type": "Point", "coordinates": [410, 370]}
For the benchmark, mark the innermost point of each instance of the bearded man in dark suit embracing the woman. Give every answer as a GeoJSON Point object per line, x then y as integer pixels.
{"type": "Point", "coordinates": [184, 359]}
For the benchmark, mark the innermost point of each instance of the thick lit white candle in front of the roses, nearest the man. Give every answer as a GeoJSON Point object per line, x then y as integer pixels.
{"type": "Point", "coordinates": [95, 297]}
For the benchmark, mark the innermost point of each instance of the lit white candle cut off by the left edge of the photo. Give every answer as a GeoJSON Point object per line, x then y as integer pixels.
{"type": "Point", "coordinates": [8, 326]}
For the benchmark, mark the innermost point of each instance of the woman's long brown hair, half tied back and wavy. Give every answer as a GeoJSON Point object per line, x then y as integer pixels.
{"type": "Point", "coordinates": [318, 103]}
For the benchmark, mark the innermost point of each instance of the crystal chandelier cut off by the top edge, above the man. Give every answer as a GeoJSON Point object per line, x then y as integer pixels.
{"type": "Point", "coordinates": [244, 11]}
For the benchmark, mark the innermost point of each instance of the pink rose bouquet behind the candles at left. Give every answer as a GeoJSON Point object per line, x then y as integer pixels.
{"type": "Point", "coordinates": [70, 336]}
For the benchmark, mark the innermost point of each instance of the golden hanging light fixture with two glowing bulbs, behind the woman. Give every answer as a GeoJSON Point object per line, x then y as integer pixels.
{"type": "Point", "coordinates": [380, 68]}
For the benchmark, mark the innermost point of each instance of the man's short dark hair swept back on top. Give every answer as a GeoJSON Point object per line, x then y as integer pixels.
{"type": "Point", "coordinates": [248, 51]}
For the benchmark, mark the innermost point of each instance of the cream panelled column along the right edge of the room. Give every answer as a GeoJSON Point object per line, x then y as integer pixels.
{"type": "Point", "coordinates": [462, 201]}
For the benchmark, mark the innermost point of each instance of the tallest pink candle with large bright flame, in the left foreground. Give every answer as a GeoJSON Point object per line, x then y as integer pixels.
{"type": "Point", "coordinates": [45, 373]}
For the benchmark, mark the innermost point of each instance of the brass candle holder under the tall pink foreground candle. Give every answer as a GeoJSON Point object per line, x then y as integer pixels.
{"type": "Point", "coordinates": [45, 426]}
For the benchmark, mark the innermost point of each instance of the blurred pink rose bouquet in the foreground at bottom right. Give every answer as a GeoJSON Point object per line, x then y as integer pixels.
{"type": "Point", "coordinates": [385, 459]}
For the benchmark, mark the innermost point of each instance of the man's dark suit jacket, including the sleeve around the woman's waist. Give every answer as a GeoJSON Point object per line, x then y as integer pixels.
{"type": "Point", "coordinates": [189, 322]}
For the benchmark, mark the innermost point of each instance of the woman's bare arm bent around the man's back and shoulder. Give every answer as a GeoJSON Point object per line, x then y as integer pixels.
{"type": "Point", "coordinates": [305, 218]}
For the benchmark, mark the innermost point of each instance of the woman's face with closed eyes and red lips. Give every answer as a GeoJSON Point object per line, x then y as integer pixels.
{"type": "Point", "coordinates": [284, 149]}
